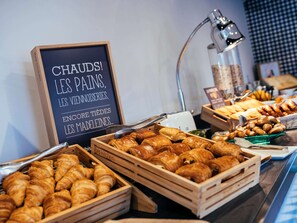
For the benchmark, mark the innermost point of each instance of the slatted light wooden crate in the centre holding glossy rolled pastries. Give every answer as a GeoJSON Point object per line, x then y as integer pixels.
{"type": "Point", "coordinates": [201, 198]}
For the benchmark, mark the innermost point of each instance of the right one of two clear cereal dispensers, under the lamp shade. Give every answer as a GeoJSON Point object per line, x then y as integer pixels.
{"type": "Point", "coordinates": [236, 71]}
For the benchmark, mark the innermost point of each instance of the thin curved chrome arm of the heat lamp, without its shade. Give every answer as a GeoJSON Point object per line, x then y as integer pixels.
{"type": "Point", "coordinates": [180, 92]}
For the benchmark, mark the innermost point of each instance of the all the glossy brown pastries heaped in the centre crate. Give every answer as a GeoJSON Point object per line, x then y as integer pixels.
{"type": "Point", "coordinates": [189, 156]}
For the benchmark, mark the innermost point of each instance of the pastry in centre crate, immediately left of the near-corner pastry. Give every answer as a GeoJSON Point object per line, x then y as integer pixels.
{"type": "Point", "coordinates": [167, 160]}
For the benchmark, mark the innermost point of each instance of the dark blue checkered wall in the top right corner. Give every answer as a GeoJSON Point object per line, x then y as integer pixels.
{"type": "Point", "coordinates": [273, 31]}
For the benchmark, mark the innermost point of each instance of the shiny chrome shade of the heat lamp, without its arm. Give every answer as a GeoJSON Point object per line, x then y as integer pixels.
{"type": "Point", "coordinates": [224, 33]}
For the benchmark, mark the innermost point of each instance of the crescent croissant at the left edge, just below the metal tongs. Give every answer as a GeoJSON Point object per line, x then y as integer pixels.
{"type": "Point", "coordinates": [15, 186]}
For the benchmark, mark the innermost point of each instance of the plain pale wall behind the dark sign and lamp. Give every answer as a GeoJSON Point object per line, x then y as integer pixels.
{"type": "Point", "coordinates": [146, 37]}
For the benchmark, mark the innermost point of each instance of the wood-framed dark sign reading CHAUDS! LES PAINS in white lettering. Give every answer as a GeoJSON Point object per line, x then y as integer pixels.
{"type": "Point", "coordinates": [78, 91]}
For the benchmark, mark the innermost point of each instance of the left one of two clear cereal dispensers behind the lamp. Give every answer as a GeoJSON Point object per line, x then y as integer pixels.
{"type": "Point", "coordinates": [221, 72]}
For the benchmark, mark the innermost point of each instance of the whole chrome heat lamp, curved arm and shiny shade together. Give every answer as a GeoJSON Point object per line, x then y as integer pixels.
{"type": "Point", "coordinates": [224, 34]}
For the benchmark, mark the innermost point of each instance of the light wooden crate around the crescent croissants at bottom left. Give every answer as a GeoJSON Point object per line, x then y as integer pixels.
{"type": "Point", "coordinates": [99, 209]}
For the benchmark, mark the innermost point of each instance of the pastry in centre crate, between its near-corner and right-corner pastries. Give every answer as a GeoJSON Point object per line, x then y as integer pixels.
{"type": "Point", "coordinates": [223, 163]}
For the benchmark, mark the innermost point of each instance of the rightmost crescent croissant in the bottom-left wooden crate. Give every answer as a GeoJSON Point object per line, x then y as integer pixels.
{"type": "Point", "coordinates": [104, 178]}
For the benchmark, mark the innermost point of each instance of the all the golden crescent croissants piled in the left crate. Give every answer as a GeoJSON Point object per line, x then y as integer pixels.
{"type": "Point", "coordinates": [50, 187]}
